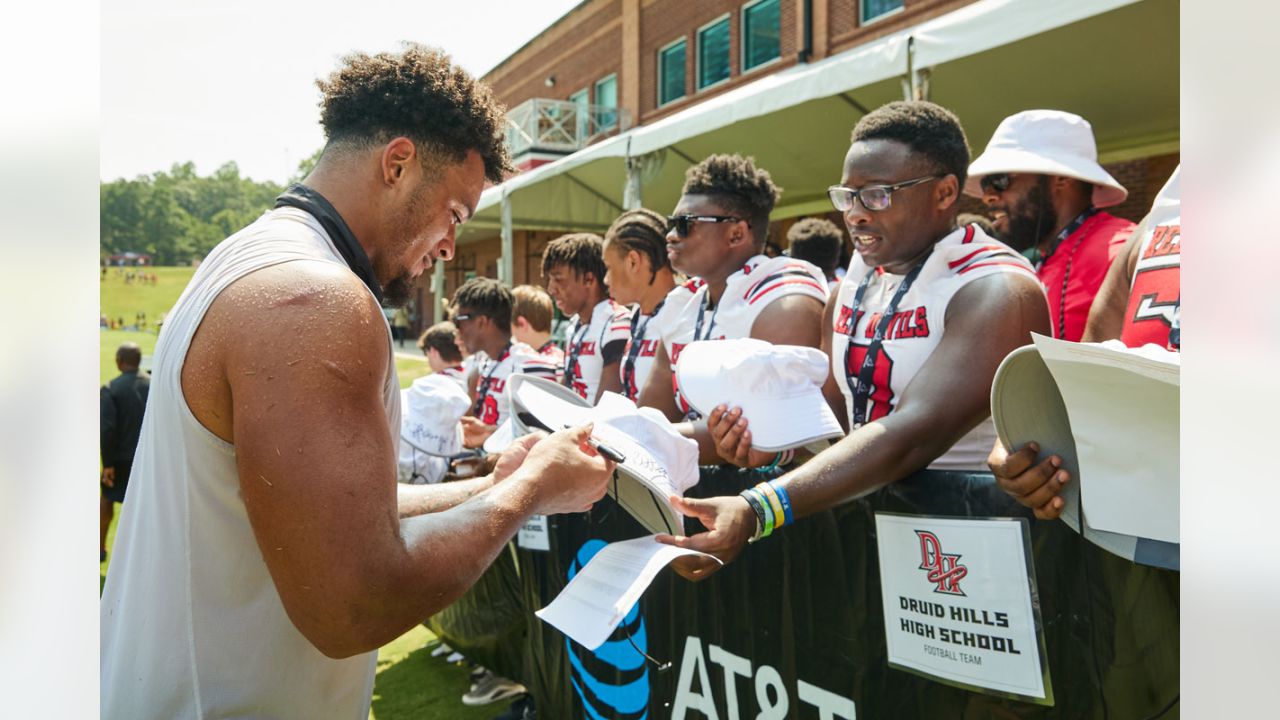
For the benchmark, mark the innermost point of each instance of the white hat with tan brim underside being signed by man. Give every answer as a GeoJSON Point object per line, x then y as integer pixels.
{"type": "Point", "coordinates": [657, 462]}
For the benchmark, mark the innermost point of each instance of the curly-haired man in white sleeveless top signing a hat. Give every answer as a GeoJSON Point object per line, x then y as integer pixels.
{"type": "Point", "coordinates": [268, 552]}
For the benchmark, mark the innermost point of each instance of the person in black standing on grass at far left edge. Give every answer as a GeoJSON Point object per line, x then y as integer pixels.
{"type": "Point", "coordinates": [121, 408]}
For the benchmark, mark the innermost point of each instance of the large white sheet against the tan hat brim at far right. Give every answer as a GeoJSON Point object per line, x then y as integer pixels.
{"type": "Point", "coordinates": [1124, 413]}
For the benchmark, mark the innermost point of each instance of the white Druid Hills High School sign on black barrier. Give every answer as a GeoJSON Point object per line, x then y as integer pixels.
{"type": "Point", "coordinates": [959, 604]}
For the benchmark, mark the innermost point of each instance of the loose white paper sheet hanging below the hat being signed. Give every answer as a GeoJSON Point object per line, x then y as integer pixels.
{"type": "Point", "coordinates": [602, 594]}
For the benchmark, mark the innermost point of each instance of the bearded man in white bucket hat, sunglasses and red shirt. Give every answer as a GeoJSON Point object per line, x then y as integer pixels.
{"type": "Point", "coordinates": [1045, 190]}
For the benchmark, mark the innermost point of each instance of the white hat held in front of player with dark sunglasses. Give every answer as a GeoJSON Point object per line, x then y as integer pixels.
{"type": "Point", "coordinates": [779, 389]}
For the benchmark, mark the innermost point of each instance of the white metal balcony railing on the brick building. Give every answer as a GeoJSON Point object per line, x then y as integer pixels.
{"type": "Point", "coordinates": [559, 126]}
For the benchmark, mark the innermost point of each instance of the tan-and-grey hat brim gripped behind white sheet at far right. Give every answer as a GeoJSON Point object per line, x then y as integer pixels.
{"type": "Point", "coordinates": [1026, 405]}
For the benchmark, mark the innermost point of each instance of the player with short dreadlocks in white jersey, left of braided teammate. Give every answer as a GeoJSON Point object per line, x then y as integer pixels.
{"type": "Point", "coordinates": [574, 267]}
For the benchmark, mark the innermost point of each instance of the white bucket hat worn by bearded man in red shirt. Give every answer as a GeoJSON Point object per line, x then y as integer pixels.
{"type": "Point", "coordinates": [1049, 143]}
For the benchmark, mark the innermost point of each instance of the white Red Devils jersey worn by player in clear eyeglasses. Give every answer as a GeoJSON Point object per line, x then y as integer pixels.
{"type": "Point", "coordinates": [916, 329]}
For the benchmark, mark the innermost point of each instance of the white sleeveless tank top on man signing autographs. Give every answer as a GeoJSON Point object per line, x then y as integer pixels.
{"type": "Point", "coordinates": [191, 623]}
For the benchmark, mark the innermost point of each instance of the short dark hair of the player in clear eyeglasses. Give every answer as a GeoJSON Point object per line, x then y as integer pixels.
{"type": "Point", "coordinates": [929, 130]}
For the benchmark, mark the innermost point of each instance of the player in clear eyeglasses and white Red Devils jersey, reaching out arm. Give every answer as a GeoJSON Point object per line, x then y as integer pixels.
{"type": "Point", "coordinates": [915, 332]}
